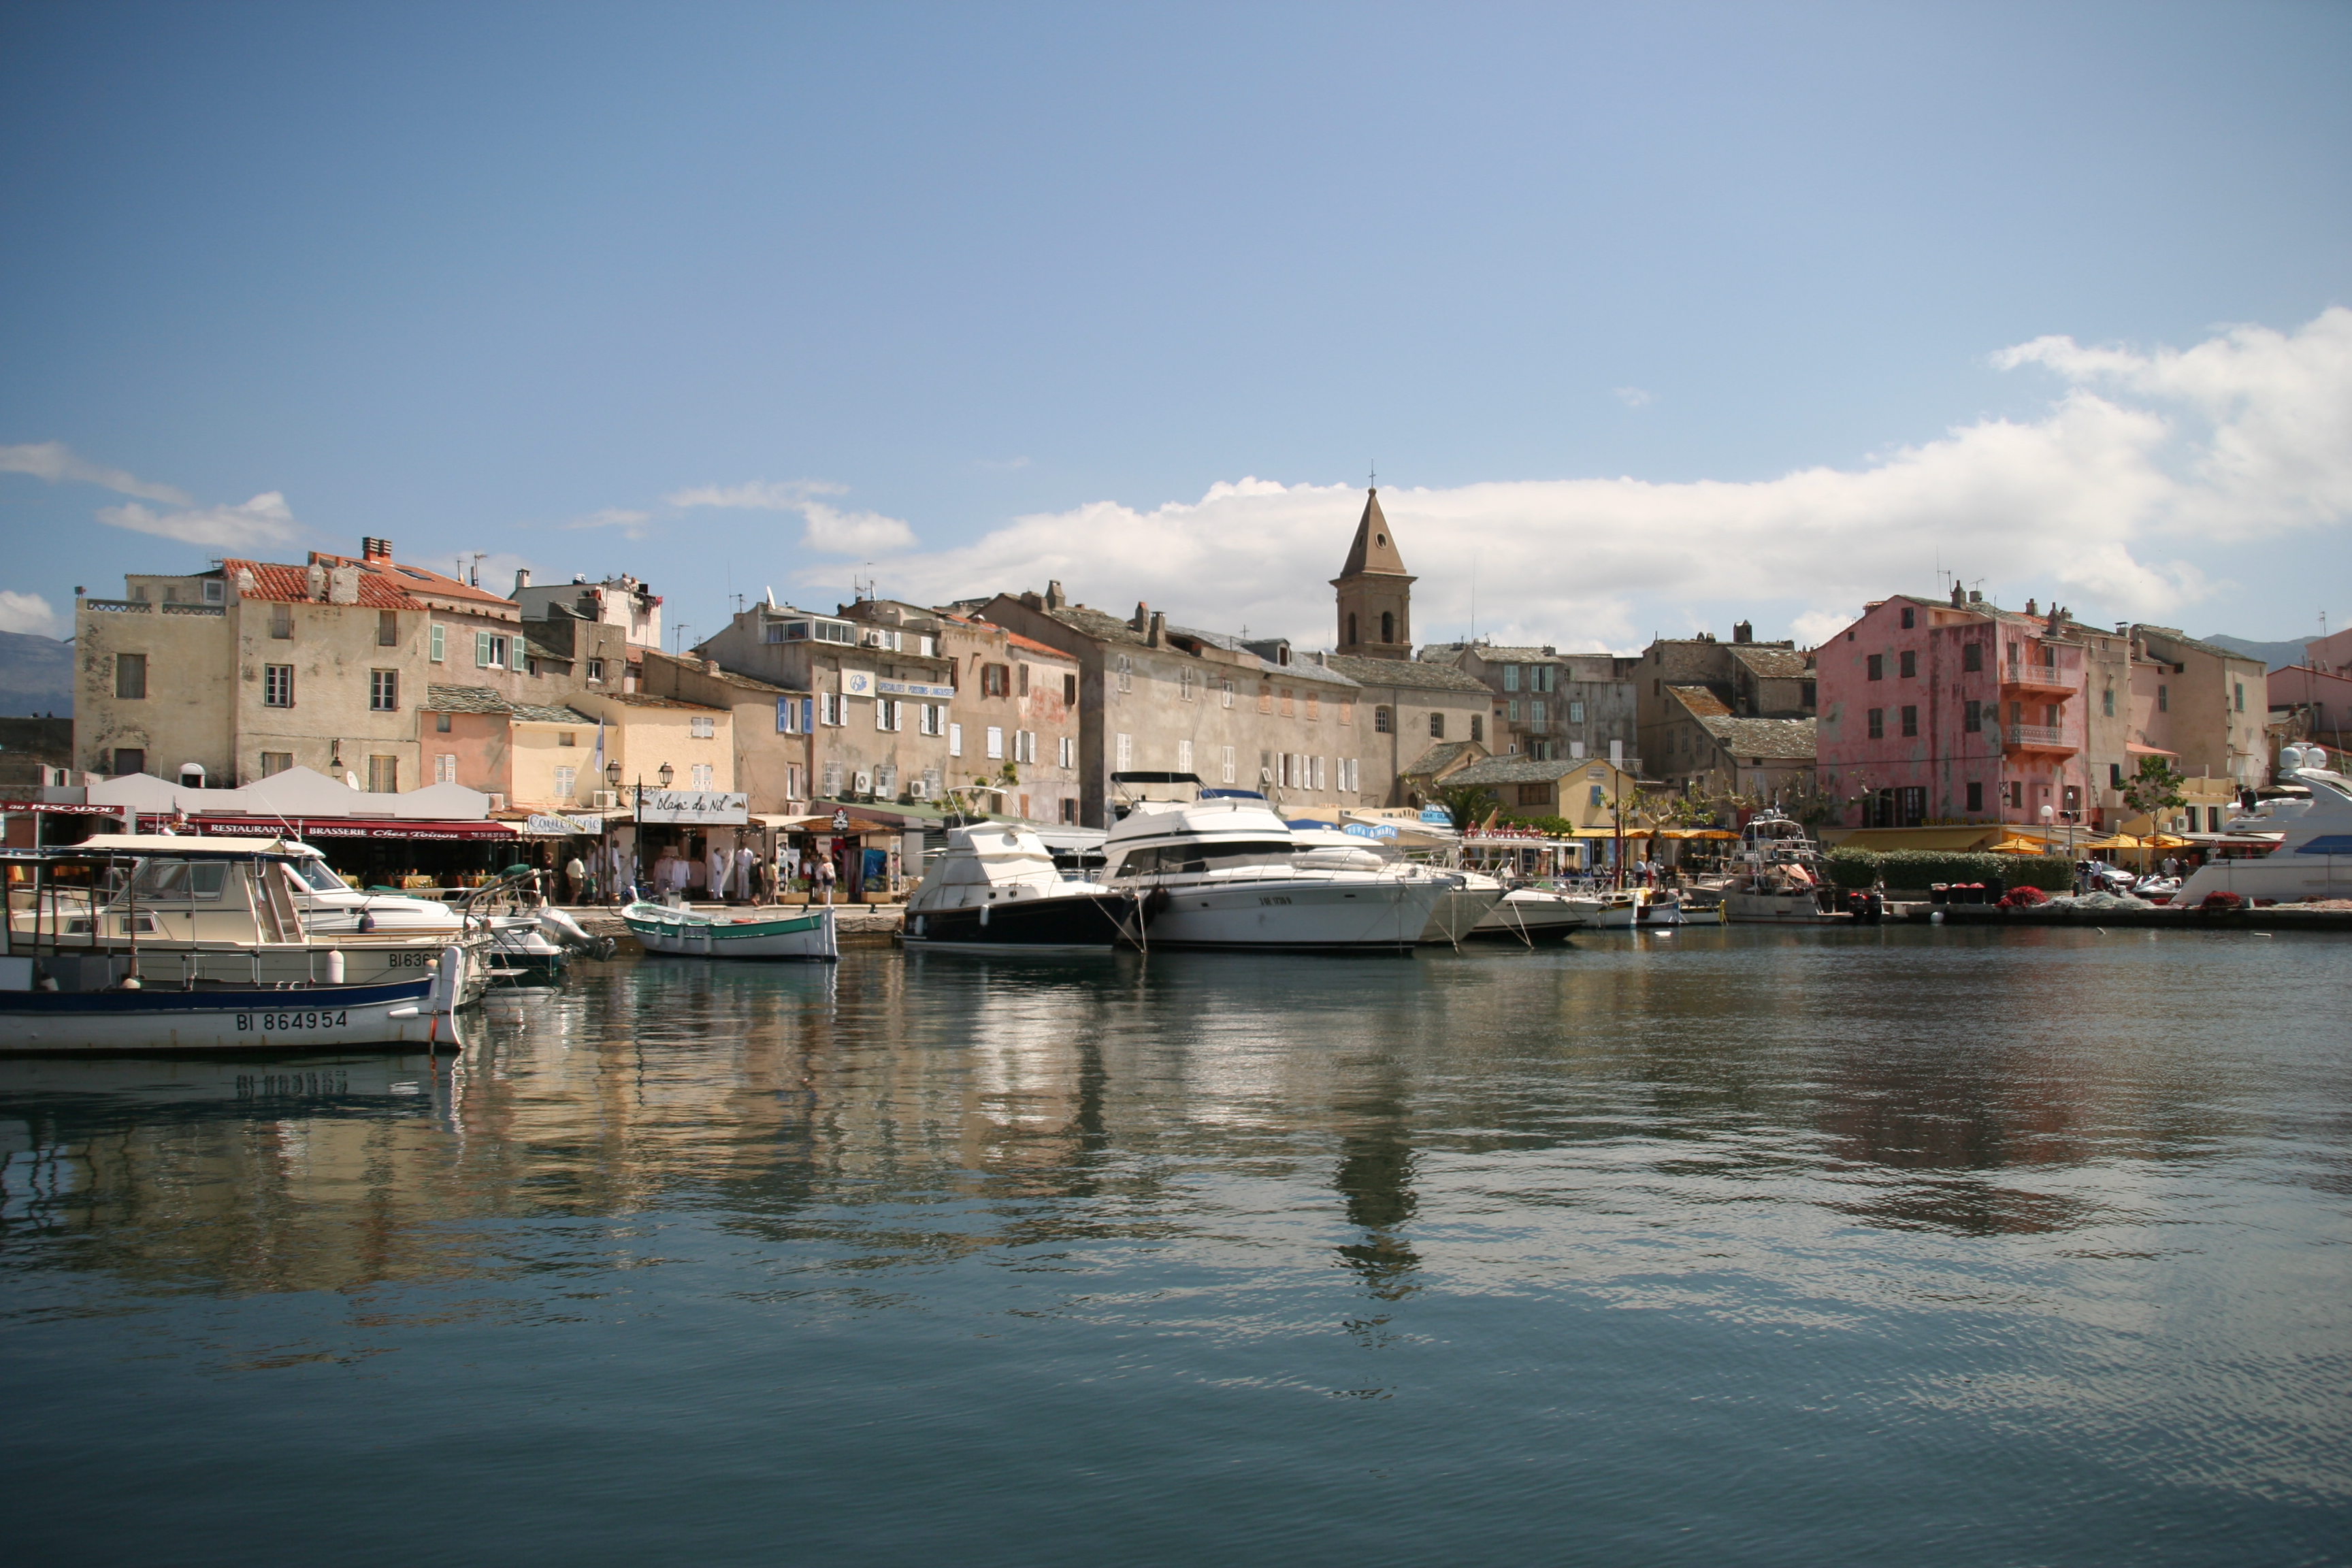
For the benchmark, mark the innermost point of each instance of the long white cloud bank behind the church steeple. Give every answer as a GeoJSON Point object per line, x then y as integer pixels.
{"type": "Point", "coordinates": [2106, 502]}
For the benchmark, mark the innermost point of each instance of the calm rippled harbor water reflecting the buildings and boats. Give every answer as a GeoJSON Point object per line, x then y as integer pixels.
{"type": "Point", "coordinates": [1720, 1247]}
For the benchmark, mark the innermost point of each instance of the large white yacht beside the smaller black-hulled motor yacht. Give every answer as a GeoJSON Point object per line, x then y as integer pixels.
{"type": "Point", "coordinates": [1217, 869]}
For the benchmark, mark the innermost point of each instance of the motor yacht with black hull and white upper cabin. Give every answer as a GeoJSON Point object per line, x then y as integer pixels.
{"type": "Point", "coordinates": [996, 890]}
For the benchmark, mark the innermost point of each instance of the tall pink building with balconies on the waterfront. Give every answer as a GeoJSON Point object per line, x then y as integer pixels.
{"type": "Point", "coordinates": [1956, 713]}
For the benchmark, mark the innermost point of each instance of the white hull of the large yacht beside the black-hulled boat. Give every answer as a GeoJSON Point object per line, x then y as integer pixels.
{"type": "Point", "coordinates": [1295, 916]}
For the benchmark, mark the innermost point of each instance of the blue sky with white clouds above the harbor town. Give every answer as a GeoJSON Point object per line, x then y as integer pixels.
{"type": "Point", "coordinates": [1650, 319]}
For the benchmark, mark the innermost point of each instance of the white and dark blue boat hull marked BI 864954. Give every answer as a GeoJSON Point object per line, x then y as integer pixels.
{"type": "Point", "coordinates": [163, 1021]}
